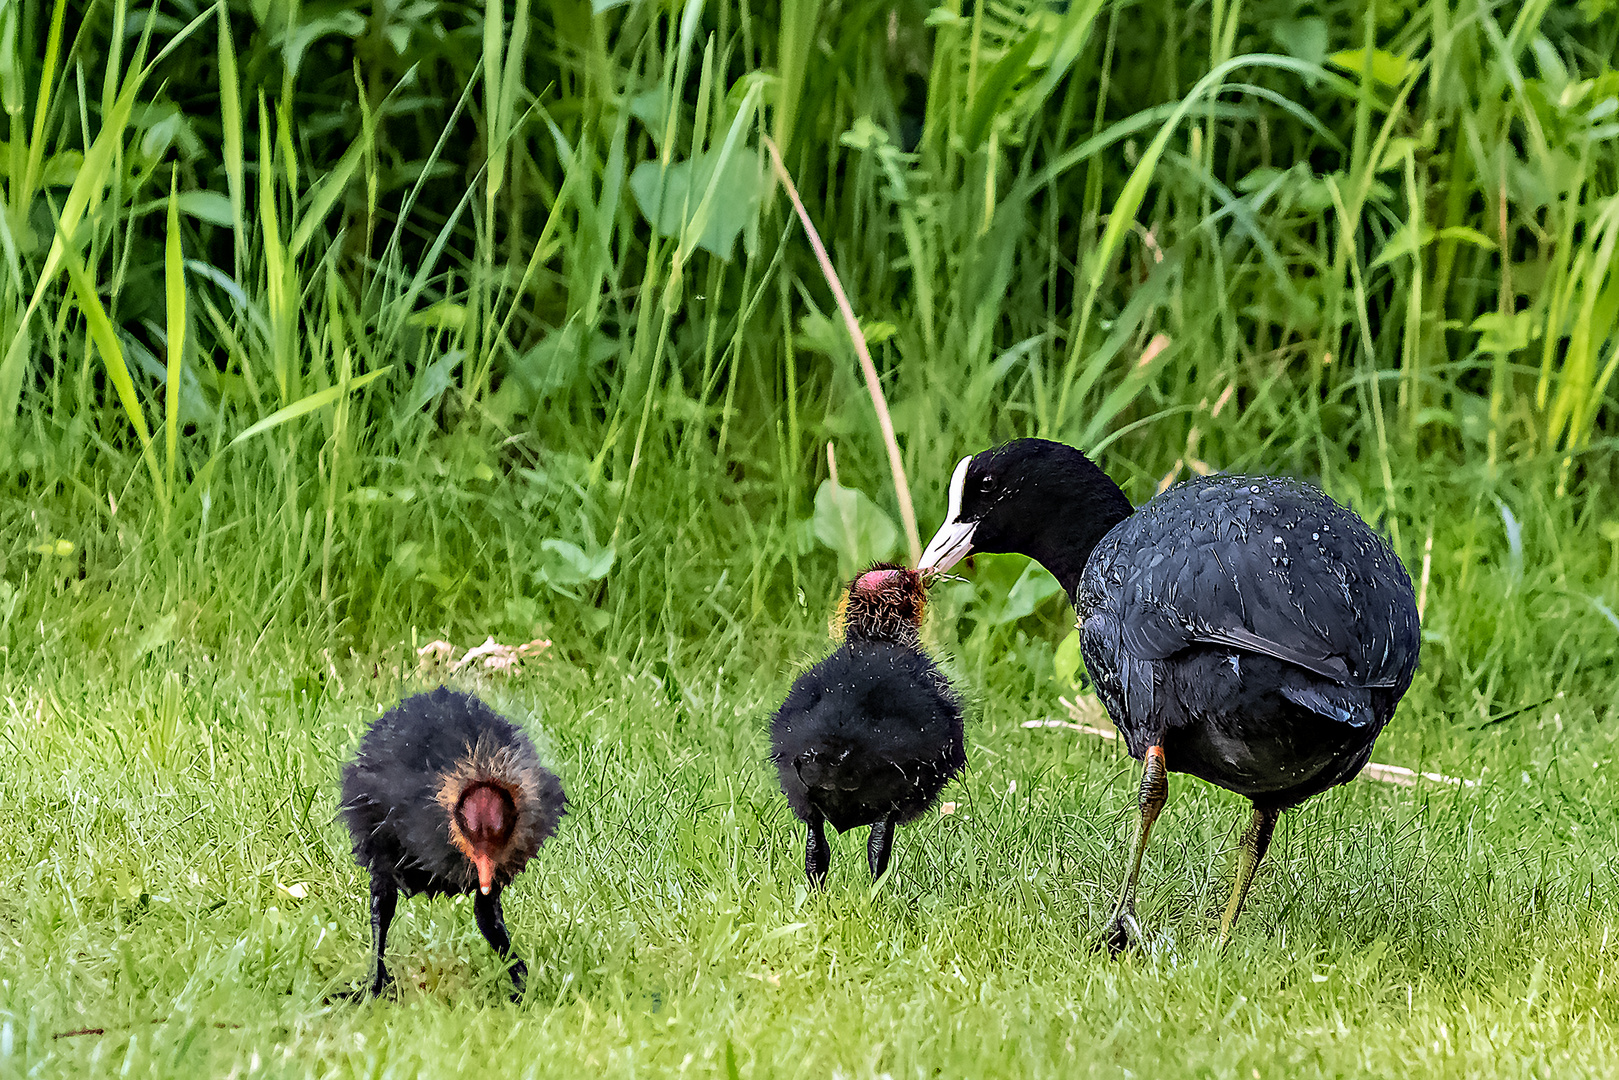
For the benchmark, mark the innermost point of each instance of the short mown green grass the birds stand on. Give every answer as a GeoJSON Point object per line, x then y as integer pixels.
{"type": "Point", "coordinates": [164, 801]}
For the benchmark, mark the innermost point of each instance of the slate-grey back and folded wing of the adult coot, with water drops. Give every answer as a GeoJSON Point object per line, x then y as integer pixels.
{"type": "Point", "coordinates": [1262, 566]}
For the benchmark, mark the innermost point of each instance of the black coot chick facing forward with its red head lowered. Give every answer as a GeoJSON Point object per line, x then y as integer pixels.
{"type": "Point", "coordinates": [448, 797]}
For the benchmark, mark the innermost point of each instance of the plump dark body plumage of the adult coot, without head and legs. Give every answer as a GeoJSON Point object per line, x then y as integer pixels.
{"type": "Point", "coordinates": [1283, 629]}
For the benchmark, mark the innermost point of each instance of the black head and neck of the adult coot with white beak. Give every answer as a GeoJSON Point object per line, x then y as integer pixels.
{"type": "Point", "coordinates": [1034, 498]}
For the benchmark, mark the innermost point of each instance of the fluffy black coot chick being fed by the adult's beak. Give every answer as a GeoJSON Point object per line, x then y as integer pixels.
{"type": "Point", "coordinates": [872, 734]}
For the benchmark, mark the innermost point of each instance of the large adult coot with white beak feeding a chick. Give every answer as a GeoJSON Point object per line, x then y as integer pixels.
{"type": "Point", "coordinates": [1243, 629]}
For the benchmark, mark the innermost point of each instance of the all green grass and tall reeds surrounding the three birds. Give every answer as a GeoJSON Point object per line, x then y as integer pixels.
{"type": "Point", "coordinates": [331, 328]}
